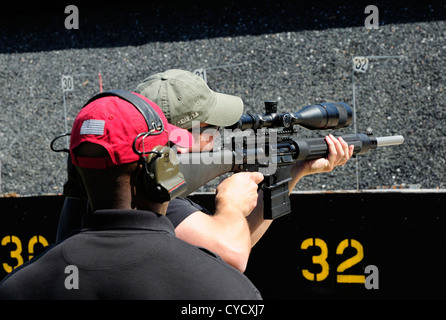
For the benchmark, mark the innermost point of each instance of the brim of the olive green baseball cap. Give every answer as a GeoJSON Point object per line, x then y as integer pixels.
{"type": "Point", "coordinates": [227, 111]}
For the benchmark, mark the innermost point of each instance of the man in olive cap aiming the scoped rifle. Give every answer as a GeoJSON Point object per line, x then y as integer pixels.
{"type": "Point", "coordinates": [187, 101]}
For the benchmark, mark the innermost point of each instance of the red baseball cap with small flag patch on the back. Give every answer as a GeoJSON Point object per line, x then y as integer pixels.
{"type": "Point", "coordinates": [114, 124]}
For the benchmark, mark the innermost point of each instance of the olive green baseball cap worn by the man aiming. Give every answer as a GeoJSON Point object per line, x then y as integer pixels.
{"type": "Point", "coordinates": [185, 98]}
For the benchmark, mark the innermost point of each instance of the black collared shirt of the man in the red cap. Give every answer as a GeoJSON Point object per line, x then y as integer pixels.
{"type": "Point", "coordinates": [126, 254]}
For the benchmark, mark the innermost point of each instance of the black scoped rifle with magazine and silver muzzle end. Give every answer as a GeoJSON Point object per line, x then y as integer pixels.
{"type": "Point", "coordinates": [266, 143]}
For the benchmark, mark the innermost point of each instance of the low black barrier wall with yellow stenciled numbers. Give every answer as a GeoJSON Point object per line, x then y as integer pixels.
{"type": "Point", "coordinates": [353, 245]}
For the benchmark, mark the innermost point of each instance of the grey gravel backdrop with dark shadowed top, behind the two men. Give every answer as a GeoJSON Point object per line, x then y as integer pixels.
{"type": "Point", "coordinates": [298, 52]}
